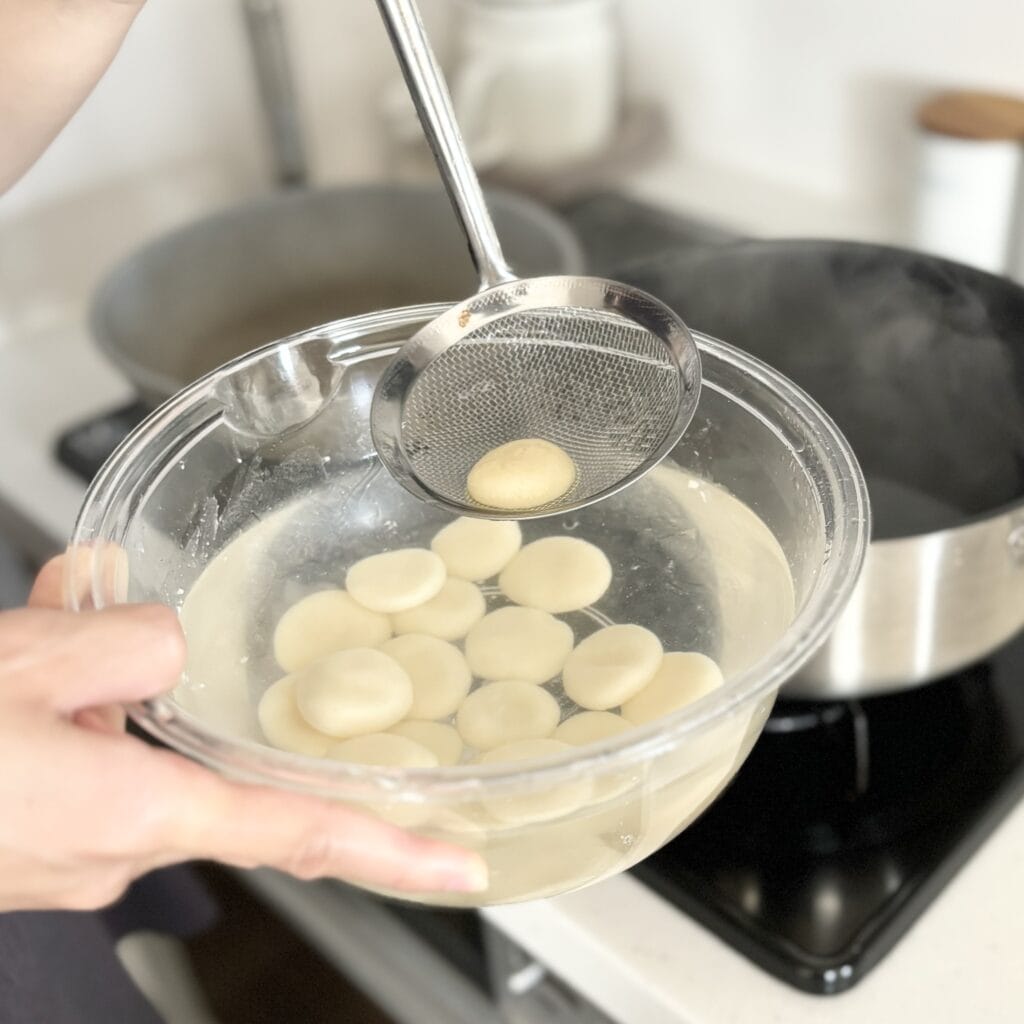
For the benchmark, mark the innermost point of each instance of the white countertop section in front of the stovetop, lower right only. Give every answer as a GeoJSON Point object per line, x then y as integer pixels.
{"type": "Point", "coordinates": [645, 963]}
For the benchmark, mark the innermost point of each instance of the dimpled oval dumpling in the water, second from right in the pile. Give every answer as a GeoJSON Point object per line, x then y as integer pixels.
{"type": "Point", "coordinates": [612, 666]}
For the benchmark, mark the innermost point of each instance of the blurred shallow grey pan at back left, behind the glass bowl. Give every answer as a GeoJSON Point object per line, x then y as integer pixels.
{"type": "Point", "coordinates": [198, 297]}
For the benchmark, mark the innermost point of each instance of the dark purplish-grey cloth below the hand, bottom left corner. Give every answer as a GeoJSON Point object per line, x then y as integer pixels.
{"type": "Point", "coordinates": [61, 968]}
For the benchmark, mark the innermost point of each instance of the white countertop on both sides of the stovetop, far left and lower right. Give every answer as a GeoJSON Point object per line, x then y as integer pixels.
{"type": "Point", "coordinates": [635, 956]}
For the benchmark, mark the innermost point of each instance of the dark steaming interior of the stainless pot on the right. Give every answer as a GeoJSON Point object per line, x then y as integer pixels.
{"type": "Point", "coordinates": [920, 362]}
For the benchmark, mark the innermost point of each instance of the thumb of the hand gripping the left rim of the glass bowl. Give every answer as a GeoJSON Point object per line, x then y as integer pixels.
{"type": "Point", "coordinates": [73, 661]}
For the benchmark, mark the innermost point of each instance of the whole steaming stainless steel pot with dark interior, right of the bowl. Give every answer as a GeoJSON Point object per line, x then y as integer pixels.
{"type": "Point", "coordinates": [921, 363]}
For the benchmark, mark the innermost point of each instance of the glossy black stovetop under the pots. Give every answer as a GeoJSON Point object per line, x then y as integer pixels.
{"type": "Point", "coordinates": [848, 819]}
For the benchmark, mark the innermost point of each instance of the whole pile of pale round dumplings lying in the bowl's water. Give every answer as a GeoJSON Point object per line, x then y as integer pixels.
{"type": "Point", "coordinates": [407, 668]}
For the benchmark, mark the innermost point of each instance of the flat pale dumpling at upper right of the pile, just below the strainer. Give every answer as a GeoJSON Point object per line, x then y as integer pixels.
{"type": "Point", "coordinates": [558, 574]}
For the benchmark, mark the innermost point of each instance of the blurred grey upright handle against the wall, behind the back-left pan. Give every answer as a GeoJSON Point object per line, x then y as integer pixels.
{"type": "Point", "coordinates": [277, 90]}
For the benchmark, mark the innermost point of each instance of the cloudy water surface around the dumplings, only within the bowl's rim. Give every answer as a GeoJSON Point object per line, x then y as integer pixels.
{"type": "Point", "coordinates": [691, 563]}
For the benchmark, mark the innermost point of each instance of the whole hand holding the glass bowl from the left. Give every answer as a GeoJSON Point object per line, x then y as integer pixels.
{"type": "Point", "coordinates": [86, 808]}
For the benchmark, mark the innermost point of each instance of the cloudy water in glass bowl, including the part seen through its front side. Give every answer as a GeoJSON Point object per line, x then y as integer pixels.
{"type": "Point", "coordinates": [692, 564]}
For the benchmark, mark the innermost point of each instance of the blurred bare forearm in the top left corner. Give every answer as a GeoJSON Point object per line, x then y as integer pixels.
{"type": "Point", "coordinates": [53, 53]}
